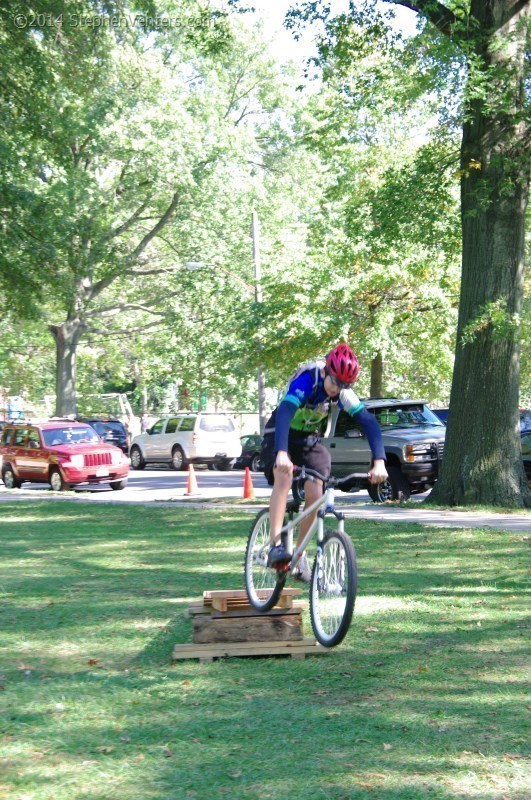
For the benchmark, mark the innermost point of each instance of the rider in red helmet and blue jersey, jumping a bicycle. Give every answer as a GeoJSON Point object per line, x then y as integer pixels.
{"type": "Point", "coordinates": [293, 435]}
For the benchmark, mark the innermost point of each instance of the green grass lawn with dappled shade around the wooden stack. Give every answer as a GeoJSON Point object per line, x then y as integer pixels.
{"type": "Point", "coordinates": [424, 699]}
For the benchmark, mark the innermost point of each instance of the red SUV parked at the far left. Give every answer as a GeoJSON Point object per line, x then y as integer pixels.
{"type": "Point", "coordinates": [59, 452]}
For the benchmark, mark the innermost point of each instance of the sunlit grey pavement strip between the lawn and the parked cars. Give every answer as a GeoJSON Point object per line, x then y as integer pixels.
{"type": "Point", "coordinates": [166, 485]}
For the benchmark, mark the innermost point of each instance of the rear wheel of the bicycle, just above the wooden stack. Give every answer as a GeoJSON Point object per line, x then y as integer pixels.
{"type": "Point", "coordinates": [263, 584]}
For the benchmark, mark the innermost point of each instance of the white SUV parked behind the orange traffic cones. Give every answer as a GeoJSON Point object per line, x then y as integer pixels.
{"type": "Point", "coordinates": [198, 438]}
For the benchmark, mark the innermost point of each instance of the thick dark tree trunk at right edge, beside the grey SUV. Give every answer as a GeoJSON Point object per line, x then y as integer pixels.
{"type": "Point", "coordinates": [482, 460]}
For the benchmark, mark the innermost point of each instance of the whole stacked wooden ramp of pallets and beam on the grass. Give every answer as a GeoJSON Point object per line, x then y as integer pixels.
{"type": "Point", "coordinates": [225, 624]}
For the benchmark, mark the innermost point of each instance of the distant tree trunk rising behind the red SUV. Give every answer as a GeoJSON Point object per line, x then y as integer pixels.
{"type": "Point", "coordinates": [67, 338]}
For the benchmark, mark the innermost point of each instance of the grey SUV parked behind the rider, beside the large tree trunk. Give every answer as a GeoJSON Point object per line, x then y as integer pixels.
{"type": "Point", "coordinates": [413, 438]}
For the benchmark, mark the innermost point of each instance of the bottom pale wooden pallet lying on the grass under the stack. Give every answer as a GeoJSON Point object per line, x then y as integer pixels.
{"type": "Point", "coordinates": [207, 652]}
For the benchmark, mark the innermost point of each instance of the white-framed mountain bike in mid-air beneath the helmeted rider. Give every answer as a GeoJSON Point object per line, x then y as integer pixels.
{"type": "Point", "coordinates": [334, 576]}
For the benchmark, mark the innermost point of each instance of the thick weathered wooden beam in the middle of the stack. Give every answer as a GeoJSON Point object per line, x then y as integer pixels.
{"type": "Point", "coordinates": [247, 629]}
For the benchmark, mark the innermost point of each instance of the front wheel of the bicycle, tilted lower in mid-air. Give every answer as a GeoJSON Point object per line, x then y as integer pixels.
{"type": "Point", "coordinates": [333, 588]}
